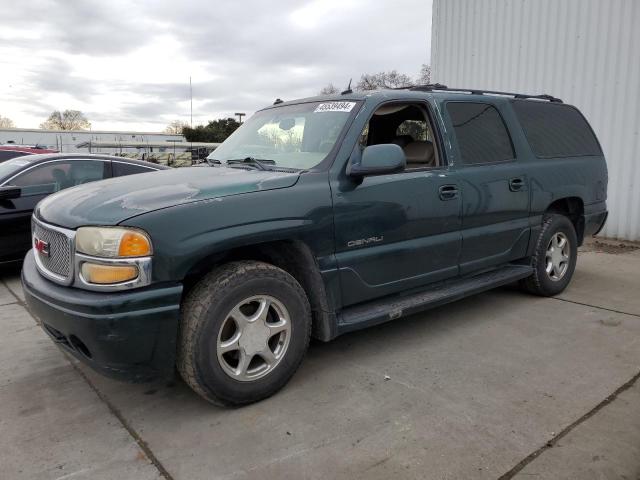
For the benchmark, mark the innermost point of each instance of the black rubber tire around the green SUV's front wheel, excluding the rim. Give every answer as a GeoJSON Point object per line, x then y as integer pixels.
{"type": "Point", "coordinates": [204, 310]}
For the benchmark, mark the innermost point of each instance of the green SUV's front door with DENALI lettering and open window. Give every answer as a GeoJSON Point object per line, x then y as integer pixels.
{"type": "Point", "coordinates": [398, 231]}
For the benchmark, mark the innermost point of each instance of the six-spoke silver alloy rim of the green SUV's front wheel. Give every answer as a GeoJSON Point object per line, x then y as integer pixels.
{"type": "Point", "coordinates": [253, 338]}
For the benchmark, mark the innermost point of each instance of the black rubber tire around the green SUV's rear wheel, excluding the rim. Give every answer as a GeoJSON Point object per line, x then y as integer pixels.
{"type": "Point", "coordinates": [540, 282]}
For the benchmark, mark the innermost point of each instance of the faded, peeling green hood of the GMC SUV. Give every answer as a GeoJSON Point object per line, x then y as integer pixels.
{"type": "Point", "coordinates": [109, 202]}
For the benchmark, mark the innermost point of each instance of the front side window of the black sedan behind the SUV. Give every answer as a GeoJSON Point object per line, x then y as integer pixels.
{"type": "Point", "coordinates": [54, 176]}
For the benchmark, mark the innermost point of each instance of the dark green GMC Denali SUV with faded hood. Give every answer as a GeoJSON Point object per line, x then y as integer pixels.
{"type": "Point", "coordinates": [317, 217]}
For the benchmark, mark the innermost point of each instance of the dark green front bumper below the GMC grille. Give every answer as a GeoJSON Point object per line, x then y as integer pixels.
{"type": "Point", "coordinates": [127, 335]}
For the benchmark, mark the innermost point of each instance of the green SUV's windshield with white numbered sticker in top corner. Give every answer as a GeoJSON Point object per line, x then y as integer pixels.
{"type": "Point", "coordinates": [294, 136]}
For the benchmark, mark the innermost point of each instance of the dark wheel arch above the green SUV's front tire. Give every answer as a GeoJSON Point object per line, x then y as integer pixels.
{"type": "Point", "coordinates": [294, 257]}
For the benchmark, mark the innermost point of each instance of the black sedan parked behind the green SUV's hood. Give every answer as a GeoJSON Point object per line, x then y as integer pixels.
{"type": "Point", "coordinates": [26, 180]}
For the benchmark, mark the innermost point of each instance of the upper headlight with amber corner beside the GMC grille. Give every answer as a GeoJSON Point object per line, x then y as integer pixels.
{"type": "Point", "coordinates": [112, 242]}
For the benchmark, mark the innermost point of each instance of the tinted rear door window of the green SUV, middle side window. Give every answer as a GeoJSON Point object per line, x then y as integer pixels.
{"type": "Point", "coordinates": [481, 133]}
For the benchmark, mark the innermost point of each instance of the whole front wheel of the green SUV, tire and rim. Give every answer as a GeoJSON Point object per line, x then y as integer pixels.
{"type": "Point", "coordinates": [244, 330]}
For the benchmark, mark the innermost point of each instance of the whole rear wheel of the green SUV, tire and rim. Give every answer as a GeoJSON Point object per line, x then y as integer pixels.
{"type": "Point", "coordinates": [554, 259]}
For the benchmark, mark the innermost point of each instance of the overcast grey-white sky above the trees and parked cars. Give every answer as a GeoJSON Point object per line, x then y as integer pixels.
{"type": "Point", "coordinates": [127, 64]}
